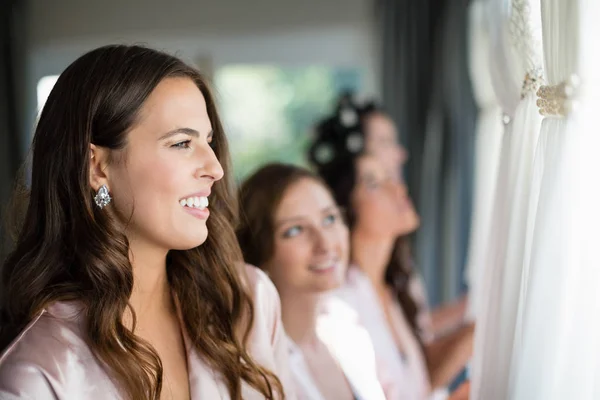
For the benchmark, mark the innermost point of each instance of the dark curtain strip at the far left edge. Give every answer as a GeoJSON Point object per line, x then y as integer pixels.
{"type": "Point", "coordinates": [12, 56]}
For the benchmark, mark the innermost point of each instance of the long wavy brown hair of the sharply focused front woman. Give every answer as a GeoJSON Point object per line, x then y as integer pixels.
{"type": "Point", "coordinates": [69, 249]}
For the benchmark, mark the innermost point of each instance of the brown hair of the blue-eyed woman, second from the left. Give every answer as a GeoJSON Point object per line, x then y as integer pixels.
{"type": "Point", "coordinates": [259, 198]}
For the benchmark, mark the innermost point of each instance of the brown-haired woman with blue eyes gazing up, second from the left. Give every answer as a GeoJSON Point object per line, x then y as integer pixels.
{"type": "Point", "coordinates": [291, 227]}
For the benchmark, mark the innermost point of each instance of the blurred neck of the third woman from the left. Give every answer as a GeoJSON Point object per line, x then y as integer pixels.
{"type": "Point", "coordinates": [372, 256]}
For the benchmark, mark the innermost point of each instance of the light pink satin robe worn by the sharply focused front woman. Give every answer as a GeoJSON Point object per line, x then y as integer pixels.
{"type": "Point", "coordinates": [51, 360]}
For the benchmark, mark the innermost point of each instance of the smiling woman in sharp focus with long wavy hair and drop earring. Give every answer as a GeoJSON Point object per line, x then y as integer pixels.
{"type": "Point", "coordinates": [124, 283]}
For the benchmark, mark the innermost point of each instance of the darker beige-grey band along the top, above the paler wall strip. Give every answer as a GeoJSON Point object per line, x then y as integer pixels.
{"type": "Point", "coordinates": [58, 20]}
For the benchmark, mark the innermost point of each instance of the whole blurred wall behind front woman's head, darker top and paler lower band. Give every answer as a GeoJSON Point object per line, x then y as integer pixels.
{"type": "Point", "coordinates": [288, 32]}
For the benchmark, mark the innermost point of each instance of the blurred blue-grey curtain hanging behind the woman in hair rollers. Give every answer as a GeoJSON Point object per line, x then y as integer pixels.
{"type": "Point", "coordinates": [426, 87]}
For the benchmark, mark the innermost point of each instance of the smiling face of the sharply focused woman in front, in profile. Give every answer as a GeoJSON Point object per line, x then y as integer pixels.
{"type": "Point", "coordinates": [161, 181]}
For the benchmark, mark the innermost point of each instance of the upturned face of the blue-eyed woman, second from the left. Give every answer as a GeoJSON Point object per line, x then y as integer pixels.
{"type": "Point", "coordinates": [310, 241]}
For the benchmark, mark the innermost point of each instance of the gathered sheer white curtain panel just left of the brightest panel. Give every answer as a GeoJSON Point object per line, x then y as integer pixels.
{"type": "Point", "coordinates": [495, 336]}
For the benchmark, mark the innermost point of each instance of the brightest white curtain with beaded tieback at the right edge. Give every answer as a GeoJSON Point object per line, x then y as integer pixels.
{"type": "Point", "coordinates": [559, 320]}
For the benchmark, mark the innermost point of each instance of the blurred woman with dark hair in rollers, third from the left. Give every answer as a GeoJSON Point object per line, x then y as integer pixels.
{"type": "Point", "coordinates": [381, 218]}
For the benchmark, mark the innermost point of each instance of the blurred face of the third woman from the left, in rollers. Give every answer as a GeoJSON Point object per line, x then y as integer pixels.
{"type": "Point", "coordinates": [381, 203]}
